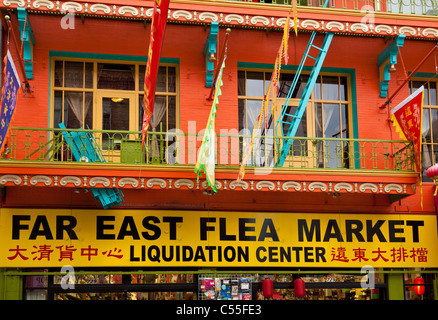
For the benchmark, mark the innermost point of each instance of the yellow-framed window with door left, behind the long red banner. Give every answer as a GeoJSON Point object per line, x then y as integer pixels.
{"type": "Point", "coordinates": [108, 95]}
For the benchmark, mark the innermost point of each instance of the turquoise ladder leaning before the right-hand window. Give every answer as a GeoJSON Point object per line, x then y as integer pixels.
{"type": "Point", "coordinates": [293, 120]}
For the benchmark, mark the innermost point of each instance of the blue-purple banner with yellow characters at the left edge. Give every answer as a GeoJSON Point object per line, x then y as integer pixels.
{"type": "Point", "coordinates": [9, 93]}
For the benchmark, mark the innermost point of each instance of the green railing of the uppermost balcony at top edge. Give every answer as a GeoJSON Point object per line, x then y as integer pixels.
{"type": "Point", "coordinates": [415, 7]}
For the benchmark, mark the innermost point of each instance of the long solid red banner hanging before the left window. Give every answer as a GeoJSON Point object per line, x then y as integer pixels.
{"type": "Point", "coordinates": [158, 25]}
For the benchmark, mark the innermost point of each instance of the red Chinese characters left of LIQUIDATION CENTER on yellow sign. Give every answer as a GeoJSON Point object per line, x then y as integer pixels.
{"type": "Point", "coordinates": [67, 252]}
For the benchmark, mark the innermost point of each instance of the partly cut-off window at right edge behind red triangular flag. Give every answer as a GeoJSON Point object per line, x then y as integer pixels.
{"type": "Point", "coordinates": [429, 155]}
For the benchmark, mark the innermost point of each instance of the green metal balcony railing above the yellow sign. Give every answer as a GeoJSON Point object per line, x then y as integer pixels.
{"type": "Point", "coordinates": [181, 149]}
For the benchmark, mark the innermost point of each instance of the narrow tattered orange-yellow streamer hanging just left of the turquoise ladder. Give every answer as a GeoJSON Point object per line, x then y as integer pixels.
{"type": "Point", "coordinates": [271, 95]}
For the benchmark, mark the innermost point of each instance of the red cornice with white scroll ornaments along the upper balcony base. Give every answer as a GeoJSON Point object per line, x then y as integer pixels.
{"type": "Point", "coordinates": [323, 20]}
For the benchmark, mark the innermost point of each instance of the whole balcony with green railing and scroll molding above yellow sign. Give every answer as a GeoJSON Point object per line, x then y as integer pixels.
{"type": "Point", "coordinates": [44, 158]}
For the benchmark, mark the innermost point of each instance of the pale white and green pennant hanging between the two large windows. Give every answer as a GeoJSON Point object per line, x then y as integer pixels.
{"type": "Point", "coordinates": [206, 155]}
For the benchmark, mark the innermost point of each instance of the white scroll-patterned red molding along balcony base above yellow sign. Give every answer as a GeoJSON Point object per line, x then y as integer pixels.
{"type": "Point", "coordinates": [194, 184]}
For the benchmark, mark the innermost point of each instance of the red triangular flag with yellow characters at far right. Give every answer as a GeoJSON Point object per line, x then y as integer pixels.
{"type": "Point", "coordinates": [407, 118]}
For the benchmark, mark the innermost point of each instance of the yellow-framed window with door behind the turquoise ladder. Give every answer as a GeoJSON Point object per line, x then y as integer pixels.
{"type": "Point", "coordinates": [326, 116]}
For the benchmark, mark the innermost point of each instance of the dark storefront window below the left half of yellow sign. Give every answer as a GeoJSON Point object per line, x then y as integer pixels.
{"type": "Point", "coordinates": [130, 285]}
